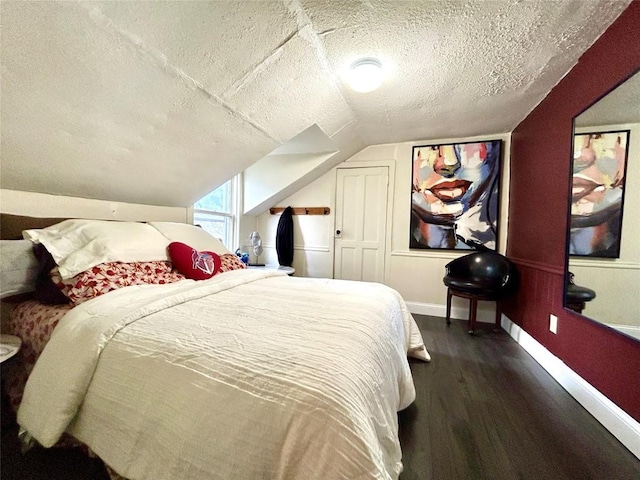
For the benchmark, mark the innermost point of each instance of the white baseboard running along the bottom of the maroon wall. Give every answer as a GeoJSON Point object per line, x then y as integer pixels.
{"type": "Point", "coordinates": [612, 417]}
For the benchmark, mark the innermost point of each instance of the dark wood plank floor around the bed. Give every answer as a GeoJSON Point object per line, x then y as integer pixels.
{"type": "Point", "coordinates": [484, 410]}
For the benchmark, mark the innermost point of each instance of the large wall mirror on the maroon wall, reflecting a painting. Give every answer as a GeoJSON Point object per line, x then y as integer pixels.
{"type": "Point", "coordinates": [600, 134]}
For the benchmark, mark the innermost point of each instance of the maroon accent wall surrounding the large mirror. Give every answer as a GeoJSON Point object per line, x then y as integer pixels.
{"type": "Point", "coordinates": [540, 159]}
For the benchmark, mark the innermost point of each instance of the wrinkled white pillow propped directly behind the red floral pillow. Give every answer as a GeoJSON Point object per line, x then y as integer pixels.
{"type": "Point", "coordinates": [77, 245]}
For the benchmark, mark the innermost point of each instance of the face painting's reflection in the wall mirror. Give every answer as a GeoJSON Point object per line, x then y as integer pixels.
{"type": "Point", "coordinates": [597, 193]}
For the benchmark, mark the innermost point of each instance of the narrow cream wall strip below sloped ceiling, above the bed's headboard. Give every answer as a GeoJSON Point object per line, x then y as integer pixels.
{"type": "Point", "coordinates": [58, 206]}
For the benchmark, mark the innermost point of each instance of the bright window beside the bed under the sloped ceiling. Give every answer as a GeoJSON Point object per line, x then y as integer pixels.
{"type": "Point", "coordinates": [216, 213]}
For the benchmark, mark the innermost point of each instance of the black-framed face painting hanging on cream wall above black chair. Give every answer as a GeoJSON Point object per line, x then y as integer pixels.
{"type": "Point", "coordinates": [455, 196]}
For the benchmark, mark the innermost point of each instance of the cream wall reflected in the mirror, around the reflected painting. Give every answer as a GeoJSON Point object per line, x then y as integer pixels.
{"type": "Point", "coordinates": [610, 278]}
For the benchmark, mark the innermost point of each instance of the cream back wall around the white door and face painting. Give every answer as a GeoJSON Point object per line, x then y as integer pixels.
{"type": "Point", "coordinates": [416, 274]}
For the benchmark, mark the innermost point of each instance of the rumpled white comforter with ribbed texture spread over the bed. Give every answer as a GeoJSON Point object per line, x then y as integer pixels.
{"type": "Point", "coordinates": [249, 375]}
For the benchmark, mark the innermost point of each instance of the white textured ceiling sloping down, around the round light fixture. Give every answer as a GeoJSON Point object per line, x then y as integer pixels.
{"type": "Point", "coordinates": [160, 102]}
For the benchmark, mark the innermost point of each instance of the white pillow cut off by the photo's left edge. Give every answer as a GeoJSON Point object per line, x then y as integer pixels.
{"type": "Point", "coordinates": [18, 267]}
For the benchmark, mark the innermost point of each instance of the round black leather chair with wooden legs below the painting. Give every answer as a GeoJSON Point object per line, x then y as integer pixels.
{"type": "Point", "coordinates": [484, 275]}
